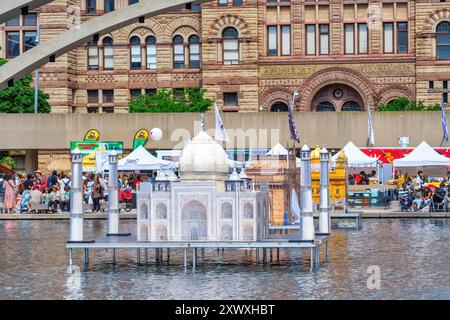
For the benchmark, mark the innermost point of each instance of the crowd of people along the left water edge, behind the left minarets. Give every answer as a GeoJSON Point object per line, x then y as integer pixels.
{"type": "Point", "coordinates": [22, 193]}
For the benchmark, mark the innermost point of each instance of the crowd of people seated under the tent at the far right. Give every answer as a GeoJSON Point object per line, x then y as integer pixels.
{"type": "Point", "coordinates": [415, 195]}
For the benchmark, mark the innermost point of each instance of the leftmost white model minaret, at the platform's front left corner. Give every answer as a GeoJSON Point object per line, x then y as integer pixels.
{"type": "Point", "coordinates": [76, 198]}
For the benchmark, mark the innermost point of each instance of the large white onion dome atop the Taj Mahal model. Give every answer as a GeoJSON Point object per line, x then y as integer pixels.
{"type": "Point", "coordinates": [203, 159]}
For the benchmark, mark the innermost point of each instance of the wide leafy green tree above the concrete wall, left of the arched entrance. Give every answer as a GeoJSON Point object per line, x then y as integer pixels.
{"type": "Point", "coordinates": [166, 100]}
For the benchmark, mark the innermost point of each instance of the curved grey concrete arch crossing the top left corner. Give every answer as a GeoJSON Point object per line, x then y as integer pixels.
{"type": "Point", "coordinates": [47, 51]}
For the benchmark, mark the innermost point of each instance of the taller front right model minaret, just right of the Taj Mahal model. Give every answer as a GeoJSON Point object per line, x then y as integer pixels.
{"type": "Point", "coordinates": [306, 201]}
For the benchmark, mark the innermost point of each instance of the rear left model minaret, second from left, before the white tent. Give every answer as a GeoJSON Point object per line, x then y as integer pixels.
{"type": "Point", "coordinates": [113, 195]}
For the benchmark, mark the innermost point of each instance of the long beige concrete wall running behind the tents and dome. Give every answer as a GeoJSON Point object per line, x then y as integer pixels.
{"type": "Point", "coordinates": [55, 131]}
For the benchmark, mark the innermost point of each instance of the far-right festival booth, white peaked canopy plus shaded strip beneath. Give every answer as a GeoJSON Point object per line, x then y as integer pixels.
{"type": "Point", "coordinates": [424, 158]}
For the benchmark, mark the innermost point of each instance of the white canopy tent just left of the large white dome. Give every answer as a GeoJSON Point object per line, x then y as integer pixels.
{"type": "Point", "coordinates": [141, 159]}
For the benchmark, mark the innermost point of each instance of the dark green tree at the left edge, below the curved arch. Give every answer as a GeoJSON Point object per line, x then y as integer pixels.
{"type": "Point", "coordinates": [20, 97]}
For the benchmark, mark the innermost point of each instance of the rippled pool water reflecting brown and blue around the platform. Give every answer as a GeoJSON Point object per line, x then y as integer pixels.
{"type": "Point", "coordinates": [413, 256]}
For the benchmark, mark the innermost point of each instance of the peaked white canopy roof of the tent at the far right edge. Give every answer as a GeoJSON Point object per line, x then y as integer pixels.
{"type": "Point", "coordinates": [422, 156]}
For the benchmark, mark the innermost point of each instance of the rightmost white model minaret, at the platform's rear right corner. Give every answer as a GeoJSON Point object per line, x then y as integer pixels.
{"type": "Point", "coordinates": [324, 211]}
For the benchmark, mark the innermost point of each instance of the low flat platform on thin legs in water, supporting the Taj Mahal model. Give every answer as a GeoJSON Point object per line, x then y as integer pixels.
{"type": "Point", "coordinates": [130, 242]}
